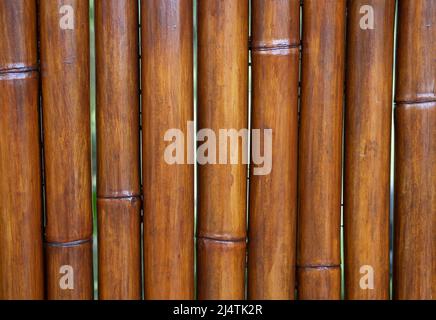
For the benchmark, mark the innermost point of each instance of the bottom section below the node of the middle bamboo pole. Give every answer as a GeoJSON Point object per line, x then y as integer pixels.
{"type": "Point", "coordinates": [219, 265]}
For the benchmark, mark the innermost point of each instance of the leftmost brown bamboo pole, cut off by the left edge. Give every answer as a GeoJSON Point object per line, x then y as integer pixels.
{"type": "Point", "coordinates": [21, 249]}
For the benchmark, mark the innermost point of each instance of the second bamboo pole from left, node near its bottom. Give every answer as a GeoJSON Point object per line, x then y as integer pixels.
{"type": "Point", "coordinates": [64, 33]}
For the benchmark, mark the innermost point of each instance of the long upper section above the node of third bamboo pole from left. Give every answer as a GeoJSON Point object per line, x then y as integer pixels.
{"type": "Point", "coordinates": [117, 72]}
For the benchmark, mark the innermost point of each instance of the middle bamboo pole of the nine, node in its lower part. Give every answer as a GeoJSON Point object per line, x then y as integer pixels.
{"type": "Point", "coordinates": [222, 104]}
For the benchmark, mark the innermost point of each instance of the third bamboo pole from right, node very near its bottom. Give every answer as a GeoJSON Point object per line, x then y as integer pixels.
{"type": "Point", "coordinates": [320, 149]}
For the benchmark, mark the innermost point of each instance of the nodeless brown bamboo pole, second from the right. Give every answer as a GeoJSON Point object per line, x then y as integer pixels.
{"type": "Point", "coordinates": [368, 118]}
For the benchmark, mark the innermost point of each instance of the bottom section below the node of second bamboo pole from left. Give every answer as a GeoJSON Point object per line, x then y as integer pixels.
{"type": "Point", "coordinates": [78, 256]}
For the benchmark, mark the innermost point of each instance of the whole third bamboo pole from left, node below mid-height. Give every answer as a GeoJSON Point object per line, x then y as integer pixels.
{"type": "Point", "coordinates": [118, 183]}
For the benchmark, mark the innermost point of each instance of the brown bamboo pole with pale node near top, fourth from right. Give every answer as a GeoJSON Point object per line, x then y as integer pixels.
{"type": "Point", "coordinates": [273, 197]}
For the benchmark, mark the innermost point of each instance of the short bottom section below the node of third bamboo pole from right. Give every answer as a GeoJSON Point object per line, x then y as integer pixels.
{"type": "Point", "coordinates": [319, 283]}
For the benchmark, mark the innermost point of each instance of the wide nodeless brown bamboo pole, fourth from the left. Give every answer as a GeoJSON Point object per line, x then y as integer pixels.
{"type": "Point", "coordinates": [167, 103]}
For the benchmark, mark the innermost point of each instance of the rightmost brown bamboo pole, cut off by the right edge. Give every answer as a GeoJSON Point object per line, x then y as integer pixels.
{"type": "Point", "coordinates": [415, 152]}
